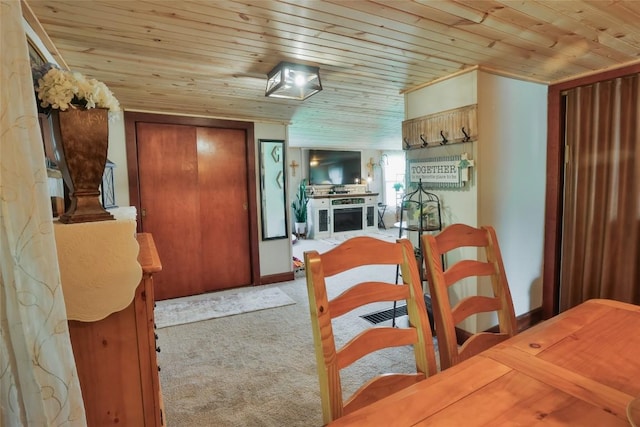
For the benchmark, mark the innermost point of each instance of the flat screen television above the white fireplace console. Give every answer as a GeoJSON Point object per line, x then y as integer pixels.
{"type": "Point", "coordinates": [334, 167]}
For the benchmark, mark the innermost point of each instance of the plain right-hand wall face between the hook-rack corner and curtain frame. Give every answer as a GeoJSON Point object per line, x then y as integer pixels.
{"type": "Point", "coordinates": [512, 117]}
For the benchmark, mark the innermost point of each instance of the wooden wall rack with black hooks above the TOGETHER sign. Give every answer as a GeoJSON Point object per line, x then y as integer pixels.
{"type": "Point", "coordinates": [447, 127]}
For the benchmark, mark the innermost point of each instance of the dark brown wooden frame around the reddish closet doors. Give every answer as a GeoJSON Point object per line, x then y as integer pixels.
{"type": "Point", "coordinates": [131, 143]}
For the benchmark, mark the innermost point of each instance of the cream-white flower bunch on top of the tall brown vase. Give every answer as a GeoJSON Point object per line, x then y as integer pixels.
{"type": "Point", "coordinates": [60, 89]}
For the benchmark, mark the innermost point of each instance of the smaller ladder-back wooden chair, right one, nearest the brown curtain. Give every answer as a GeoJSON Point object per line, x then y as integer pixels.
{"type": "Point", "coordinates": [447, 317]}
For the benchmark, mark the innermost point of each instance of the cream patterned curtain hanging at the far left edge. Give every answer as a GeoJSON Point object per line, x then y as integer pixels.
{"type": "Point", "coordinates": [38, 379]}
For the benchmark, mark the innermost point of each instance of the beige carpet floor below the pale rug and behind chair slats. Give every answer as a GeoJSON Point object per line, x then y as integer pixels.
{"type": "Point", "coordinates": [258, 368]}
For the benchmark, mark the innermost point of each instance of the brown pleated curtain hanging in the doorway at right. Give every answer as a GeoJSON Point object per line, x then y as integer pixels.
{"type": "Point", "coordinates": [601, 213]}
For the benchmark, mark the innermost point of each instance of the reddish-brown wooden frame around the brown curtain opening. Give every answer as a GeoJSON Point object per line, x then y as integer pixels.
{"type": "Point", "coordinates": [555, 183]}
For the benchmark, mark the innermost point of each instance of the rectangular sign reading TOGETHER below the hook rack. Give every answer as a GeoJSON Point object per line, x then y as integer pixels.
{"type": "Point", "coordinates": [437, 172]}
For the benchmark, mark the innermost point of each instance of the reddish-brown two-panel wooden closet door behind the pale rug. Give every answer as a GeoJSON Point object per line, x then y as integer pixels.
{"type": "Point", "coordinates": [193, 199]}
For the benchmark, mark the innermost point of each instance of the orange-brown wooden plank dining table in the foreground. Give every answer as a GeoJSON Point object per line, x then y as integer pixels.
{"type": "Point", "coordinates": [580, 368]}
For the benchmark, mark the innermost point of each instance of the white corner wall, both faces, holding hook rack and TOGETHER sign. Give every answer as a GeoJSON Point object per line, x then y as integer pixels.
{"type": "Point", "coordinates": [508, 181]}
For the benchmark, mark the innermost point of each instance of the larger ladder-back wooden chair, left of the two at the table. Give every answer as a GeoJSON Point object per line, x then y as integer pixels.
{"type": "Point", "coordinates": [358, 252]}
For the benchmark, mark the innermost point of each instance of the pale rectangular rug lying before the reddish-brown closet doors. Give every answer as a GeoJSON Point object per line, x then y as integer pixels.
{"type": "Point", "coordinates": [196, 308]}
